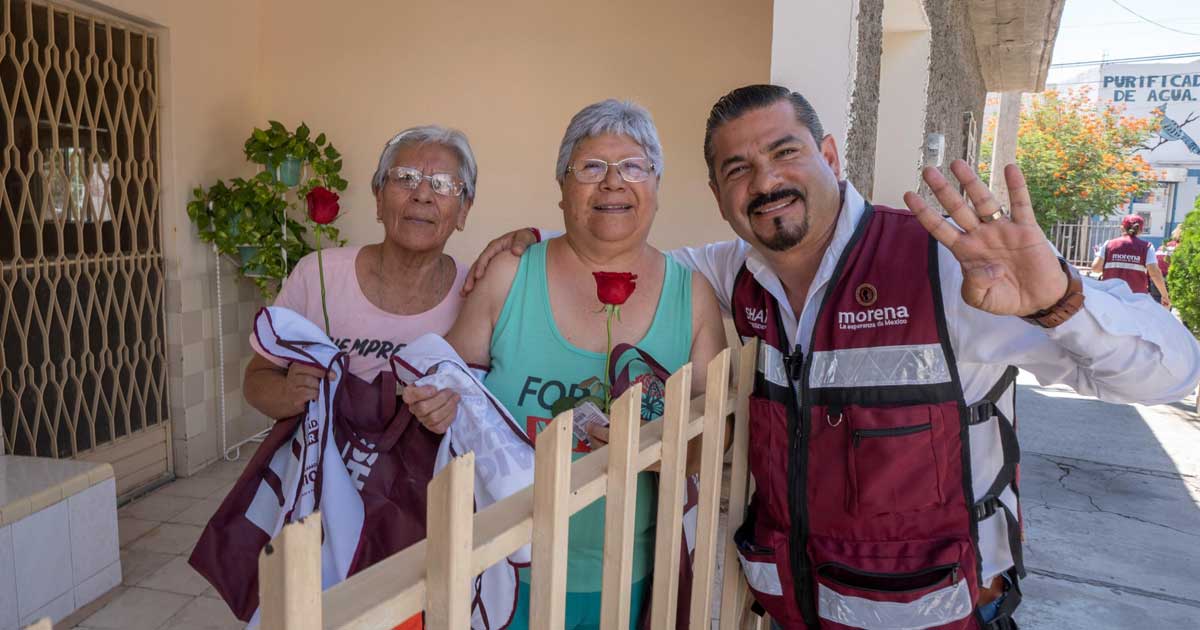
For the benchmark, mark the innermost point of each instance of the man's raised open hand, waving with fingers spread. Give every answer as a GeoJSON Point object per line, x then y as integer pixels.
{"type": "Point", "coordinates": [1009, 267]}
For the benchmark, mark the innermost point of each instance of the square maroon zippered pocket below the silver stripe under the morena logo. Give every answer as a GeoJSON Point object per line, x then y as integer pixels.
{"type": "Point", "coordinates": [893, 460]}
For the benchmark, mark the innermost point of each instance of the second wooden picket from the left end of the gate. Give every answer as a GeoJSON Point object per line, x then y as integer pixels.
{"type": "Point", "coordinates": [449, 521]}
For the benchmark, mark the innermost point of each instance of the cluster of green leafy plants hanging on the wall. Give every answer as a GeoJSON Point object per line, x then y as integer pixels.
{"type": "Point", "coordinates": [249, 219]}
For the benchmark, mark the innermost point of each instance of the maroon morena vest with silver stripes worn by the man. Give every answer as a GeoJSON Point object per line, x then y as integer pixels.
{"type": "Point", "coordinates": [863, 514]}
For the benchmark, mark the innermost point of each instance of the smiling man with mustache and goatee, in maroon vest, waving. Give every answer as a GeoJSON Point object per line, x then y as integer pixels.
{"type": "Point", "coordinates": [883, 427]}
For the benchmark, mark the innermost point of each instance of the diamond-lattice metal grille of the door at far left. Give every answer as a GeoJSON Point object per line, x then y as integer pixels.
{"type": "Point", "coordinates": [81, 253]}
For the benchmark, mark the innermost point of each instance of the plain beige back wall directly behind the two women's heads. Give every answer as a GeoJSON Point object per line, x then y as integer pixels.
{"type": "Point", "coordinates": [511, 75]}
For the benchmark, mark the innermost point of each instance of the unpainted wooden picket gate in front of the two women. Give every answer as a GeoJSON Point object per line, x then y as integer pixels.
{"type": "Point", "coordinates": [435, 575]}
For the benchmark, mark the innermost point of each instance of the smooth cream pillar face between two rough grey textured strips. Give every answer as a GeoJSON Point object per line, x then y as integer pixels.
{"type": "Point", "coordinates": [904, 87]}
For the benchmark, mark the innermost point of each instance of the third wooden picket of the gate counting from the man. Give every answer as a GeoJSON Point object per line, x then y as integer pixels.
{"type": "Point", "coordinates": [671, 495]}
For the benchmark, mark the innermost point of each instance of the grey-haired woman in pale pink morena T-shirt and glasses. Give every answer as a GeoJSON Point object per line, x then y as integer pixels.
{"type": "Point", "coordinates": [383, 296]}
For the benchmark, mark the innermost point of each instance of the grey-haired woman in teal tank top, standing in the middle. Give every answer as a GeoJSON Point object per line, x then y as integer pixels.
{"type": "Point", "coordinates": [538, 323]}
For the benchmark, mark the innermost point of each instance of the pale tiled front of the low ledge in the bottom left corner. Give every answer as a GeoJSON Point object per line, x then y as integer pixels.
{"type": "Point", "coordinates": [61, 557]}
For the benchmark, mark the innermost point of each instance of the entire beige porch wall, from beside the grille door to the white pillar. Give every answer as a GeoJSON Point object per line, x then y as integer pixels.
{"type": "Point", "coordinates": [509, 75]}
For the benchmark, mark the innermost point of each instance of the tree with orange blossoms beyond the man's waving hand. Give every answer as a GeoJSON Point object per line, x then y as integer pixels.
{"type": "Point", "coordinates": [1079, 159]}
